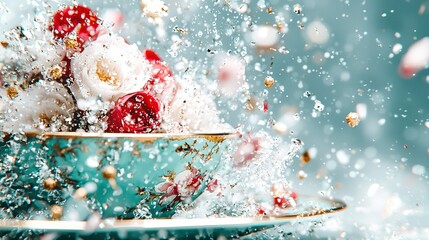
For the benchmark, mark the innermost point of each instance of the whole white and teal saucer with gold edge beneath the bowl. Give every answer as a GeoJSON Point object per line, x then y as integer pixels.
{"type": "Point", "coordinates": [309, 209]}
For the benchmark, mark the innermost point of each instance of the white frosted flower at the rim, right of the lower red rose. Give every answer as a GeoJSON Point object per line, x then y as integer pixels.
{"type": "Point", "coordinates": [193, 111]}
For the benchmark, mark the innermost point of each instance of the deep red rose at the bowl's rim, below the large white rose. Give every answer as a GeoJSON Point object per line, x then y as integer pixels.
{"type": "Point", "coordinates": [134, 113]}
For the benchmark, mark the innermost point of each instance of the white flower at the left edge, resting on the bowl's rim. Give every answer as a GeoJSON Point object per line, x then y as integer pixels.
{"type": "Point", "coordinates": [45, 106]}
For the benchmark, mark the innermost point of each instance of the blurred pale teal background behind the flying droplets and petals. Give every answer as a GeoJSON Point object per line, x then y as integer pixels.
{"type": "Point", "coordinates": [389, 151]}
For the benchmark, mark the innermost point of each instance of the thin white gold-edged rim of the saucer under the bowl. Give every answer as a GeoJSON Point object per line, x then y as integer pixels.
{"type": "Point", "coordinates": [111, 225]}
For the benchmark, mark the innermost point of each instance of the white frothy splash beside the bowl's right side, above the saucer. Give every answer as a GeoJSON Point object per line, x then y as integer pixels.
{"type": "Point", "coordinates": [237, 191]}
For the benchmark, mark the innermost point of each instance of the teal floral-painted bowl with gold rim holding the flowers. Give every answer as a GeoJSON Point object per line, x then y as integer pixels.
{"type": "Point", "coordinates": [72, 175]}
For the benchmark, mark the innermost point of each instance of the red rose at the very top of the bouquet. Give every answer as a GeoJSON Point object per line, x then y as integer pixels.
{"type": "Point", "coordinates": [79, 19]}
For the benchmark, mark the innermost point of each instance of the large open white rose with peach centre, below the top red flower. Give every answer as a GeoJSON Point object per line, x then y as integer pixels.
{"type": "Point", "coordinates": [108, 68]}
